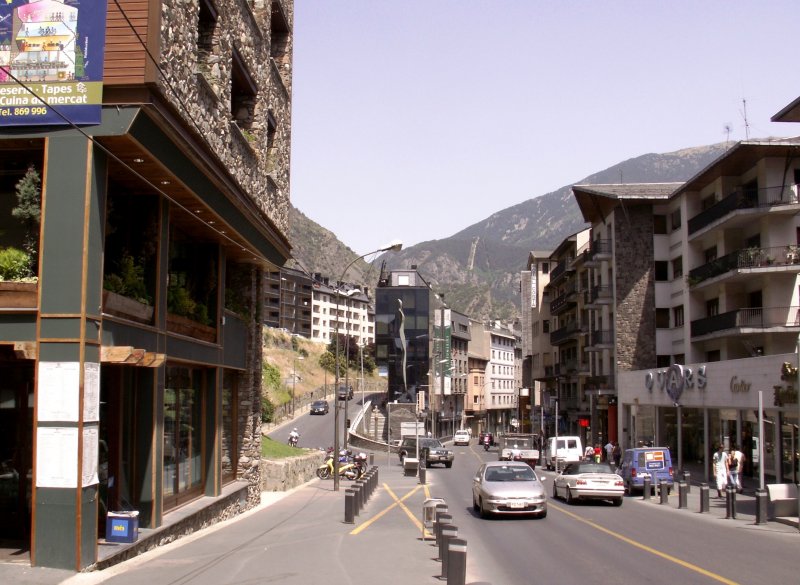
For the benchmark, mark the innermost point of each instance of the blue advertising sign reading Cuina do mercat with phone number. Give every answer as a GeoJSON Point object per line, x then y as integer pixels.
{"type": "Point", "coordinates": [51, 61]}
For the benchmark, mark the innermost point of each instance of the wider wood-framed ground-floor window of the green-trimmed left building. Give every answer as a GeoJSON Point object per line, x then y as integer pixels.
{"type": "Point", "coordinates": [183, 445]}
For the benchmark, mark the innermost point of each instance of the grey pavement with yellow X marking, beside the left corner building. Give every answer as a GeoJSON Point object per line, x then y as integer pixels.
{"type": "Point", "coordinates": [279, 534]}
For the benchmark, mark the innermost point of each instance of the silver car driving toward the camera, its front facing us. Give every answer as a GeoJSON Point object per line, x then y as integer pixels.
{"type": "Point", "coordinates": [508, 487]}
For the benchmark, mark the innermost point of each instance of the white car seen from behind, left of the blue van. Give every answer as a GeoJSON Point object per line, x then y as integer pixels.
{"type": "Point", "coordinates": [589, 480]}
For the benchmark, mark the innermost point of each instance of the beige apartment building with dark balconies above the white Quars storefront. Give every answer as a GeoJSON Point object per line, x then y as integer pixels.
{"type": "Point", "coordinates": [705, 305]}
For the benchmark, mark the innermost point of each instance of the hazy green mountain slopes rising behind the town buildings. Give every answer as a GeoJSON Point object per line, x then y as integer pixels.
{"type": "Point", "coordinates": [478, 268]}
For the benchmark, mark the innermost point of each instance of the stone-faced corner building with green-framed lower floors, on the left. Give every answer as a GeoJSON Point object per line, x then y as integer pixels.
{"type": "Point", "coordinates": [131, 356]}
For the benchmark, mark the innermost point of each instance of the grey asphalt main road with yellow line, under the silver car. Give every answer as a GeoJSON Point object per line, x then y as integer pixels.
{"type": "Point", "coordinates": [598, 543]}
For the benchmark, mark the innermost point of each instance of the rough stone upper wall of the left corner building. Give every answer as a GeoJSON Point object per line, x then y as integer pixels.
{"type": "Point", "coordinates": [196, 80]}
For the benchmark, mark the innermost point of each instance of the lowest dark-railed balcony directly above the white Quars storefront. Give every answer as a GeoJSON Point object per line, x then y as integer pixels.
{"type": "Point", "coordinates": [747, 320]}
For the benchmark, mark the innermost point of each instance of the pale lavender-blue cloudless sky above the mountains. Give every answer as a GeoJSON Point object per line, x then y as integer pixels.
{"type": "Point", "coordinates": [414, 119]}
